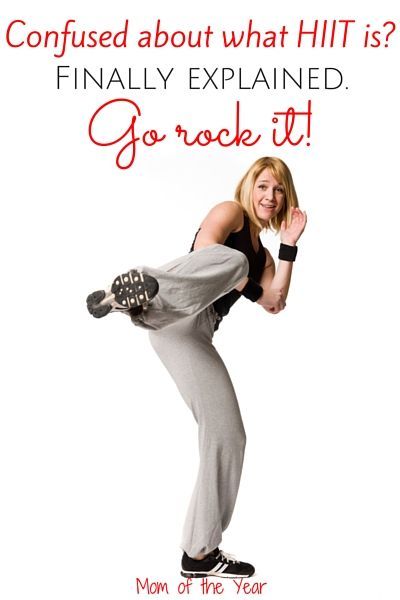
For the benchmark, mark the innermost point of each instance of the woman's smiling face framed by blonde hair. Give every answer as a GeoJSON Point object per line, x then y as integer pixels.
{"type": "Point", "coordinates": [268, 196]}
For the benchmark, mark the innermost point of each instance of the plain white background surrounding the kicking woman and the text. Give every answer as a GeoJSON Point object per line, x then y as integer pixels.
{"type": "Point", "coordinates": [99, 452]}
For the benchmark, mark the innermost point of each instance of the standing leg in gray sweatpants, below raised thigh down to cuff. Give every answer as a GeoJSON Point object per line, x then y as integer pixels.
{"type": "Point", "coordinates": [186, 350]}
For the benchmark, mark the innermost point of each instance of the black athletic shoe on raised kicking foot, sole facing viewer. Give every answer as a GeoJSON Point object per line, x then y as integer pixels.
{"type": "Point", "coordinates": [129, 291]}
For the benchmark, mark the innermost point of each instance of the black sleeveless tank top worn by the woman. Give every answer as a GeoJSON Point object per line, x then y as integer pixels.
{"type": "Point", "coordinates": [240, 240]}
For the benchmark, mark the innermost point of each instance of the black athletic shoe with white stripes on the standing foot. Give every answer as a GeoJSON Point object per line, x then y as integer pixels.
{"type": "Point", "coordinates": [216, 564]}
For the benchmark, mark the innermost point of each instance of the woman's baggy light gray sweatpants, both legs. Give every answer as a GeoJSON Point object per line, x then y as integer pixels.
{"type": "Point", "coordinates": [181, 319]}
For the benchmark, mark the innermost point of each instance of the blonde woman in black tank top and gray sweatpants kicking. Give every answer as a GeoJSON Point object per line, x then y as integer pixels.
{"type": "Point", "coordinates": [182, 303]}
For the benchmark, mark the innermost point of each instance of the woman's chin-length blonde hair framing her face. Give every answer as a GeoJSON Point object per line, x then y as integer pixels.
{"type": "Point", "coordinates": [245, 187]}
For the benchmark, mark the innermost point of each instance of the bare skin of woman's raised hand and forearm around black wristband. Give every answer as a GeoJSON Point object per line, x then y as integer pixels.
{"type": "Point", "coordinates": [279, 279]}
